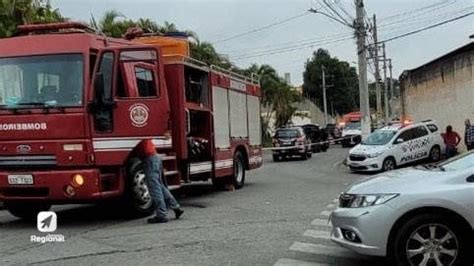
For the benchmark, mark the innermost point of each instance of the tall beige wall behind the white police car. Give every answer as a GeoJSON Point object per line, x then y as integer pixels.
{"type": "Point", "coordinates": [443, 91]}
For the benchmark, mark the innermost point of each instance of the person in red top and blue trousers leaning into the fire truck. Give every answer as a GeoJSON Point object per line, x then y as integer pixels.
{"type": "Point", "coordinates": [161, 196]}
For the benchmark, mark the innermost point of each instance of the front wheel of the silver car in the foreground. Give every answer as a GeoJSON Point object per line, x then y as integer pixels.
{"type": "Point", "coordinates": [431, 239]}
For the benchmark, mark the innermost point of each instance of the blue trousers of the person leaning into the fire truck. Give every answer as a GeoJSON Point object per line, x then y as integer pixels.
{"type": "Point", "coordinates": [161, 196]}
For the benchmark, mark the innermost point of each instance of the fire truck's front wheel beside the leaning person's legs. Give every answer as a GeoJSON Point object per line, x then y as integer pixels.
{"type": "Point", "coordinates": [137, 197]}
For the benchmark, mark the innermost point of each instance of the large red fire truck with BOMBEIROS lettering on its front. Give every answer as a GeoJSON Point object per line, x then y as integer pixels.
{"type": "Point", "coordinates": [75, 104]}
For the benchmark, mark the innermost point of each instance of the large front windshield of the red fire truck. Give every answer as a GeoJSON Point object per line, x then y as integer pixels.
{"type": "Point", "coordinates": [41, 81]}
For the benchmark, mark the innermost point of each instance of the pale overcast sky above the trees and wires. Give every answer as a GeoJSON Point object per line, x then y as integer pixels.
{"type": "Point", "coordinates": [217, 20]}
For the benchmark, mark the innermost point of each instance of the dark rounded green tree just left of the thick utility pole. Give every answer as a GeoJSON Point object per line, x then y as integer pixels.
{"type": "Point", "coordinates": [343, 89]}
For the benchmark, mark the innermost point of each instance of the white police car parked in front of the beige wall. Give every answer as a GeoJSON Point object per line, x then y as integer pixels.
{"type": "Point", "coordinates": [396, 145]}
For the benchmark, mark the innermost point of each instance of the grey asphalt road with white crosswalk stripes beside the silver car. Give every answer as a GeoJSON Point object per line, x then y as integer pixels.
{"type": "Point", "coordinates": [279, 217]}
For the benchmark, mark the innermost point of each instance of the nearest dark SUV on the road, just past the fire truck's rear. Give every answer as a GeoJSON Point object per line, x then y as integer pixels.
{"type": "Point", "coordinates": [289, 142]}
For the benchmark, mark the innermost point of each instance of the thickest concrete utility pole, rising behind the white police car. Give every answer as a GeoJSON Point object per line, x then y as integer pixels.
{"type": "Point", "coordinates": [361, 51]}
